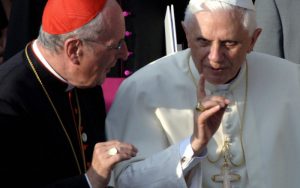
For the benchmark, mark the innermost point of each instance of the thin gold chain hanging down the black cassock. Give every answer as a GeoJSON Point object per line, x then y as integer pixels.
{"type": "Point", "coordinates": [55, 110]}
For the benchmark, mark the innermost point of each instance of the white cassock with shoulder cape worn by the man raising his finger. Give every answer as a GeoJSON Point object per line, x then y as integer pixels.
{"type": "Point", "coordinates": [153, 110]}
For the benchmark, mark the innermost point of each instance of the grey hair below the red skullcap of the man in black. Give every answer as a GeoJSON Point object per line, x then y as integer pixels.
{"type": "Point", "coordinates": [89, 31]}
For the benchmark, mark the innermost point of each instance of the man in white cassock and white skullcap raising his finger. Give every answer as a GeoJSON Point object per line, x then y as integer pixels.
{"type": "Point", "coordinates": [214, 115]}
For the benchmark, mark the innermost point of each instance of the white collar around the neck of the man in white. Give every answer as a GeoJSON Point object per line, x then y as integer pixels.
{"type": "Point", "coordinates": [222, 87]}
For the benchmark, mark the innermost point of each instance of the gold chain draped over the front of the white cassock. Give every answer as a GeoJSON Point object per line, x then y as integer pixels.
{"type": "Point", "coordinates": [226, 147]}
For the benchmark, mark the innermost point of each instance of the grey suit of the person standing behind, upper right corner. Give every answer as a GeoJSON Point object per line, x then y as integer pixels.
{"type": "Point", "coordinates": [280, 28]}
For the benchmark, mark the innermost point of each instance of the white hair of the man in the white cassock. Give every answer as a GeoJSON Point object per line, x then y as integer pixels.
{"type": "Point", "coordinates": [248, 19]}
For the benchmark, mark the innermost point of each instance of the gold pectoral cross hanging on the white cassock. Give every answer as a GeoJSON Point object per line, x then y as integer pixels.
{"type": "Point", "coordinates": [226, 177]}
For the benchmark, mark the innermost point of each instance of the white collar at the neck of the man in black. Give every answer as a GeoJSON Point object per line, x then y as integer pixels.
{"type": "Point", "coordinates": [48, 66]}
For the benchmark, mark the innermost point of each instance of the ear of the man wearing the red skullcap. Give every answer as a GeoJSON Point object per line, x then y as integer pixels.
{"type": "Point", "coordinates": [73, 49]}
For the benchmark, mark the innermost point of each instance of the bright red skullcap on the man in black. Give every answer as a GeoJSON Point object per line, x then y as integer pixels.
{"type": "Point", "coordinates": [63, 16]}
